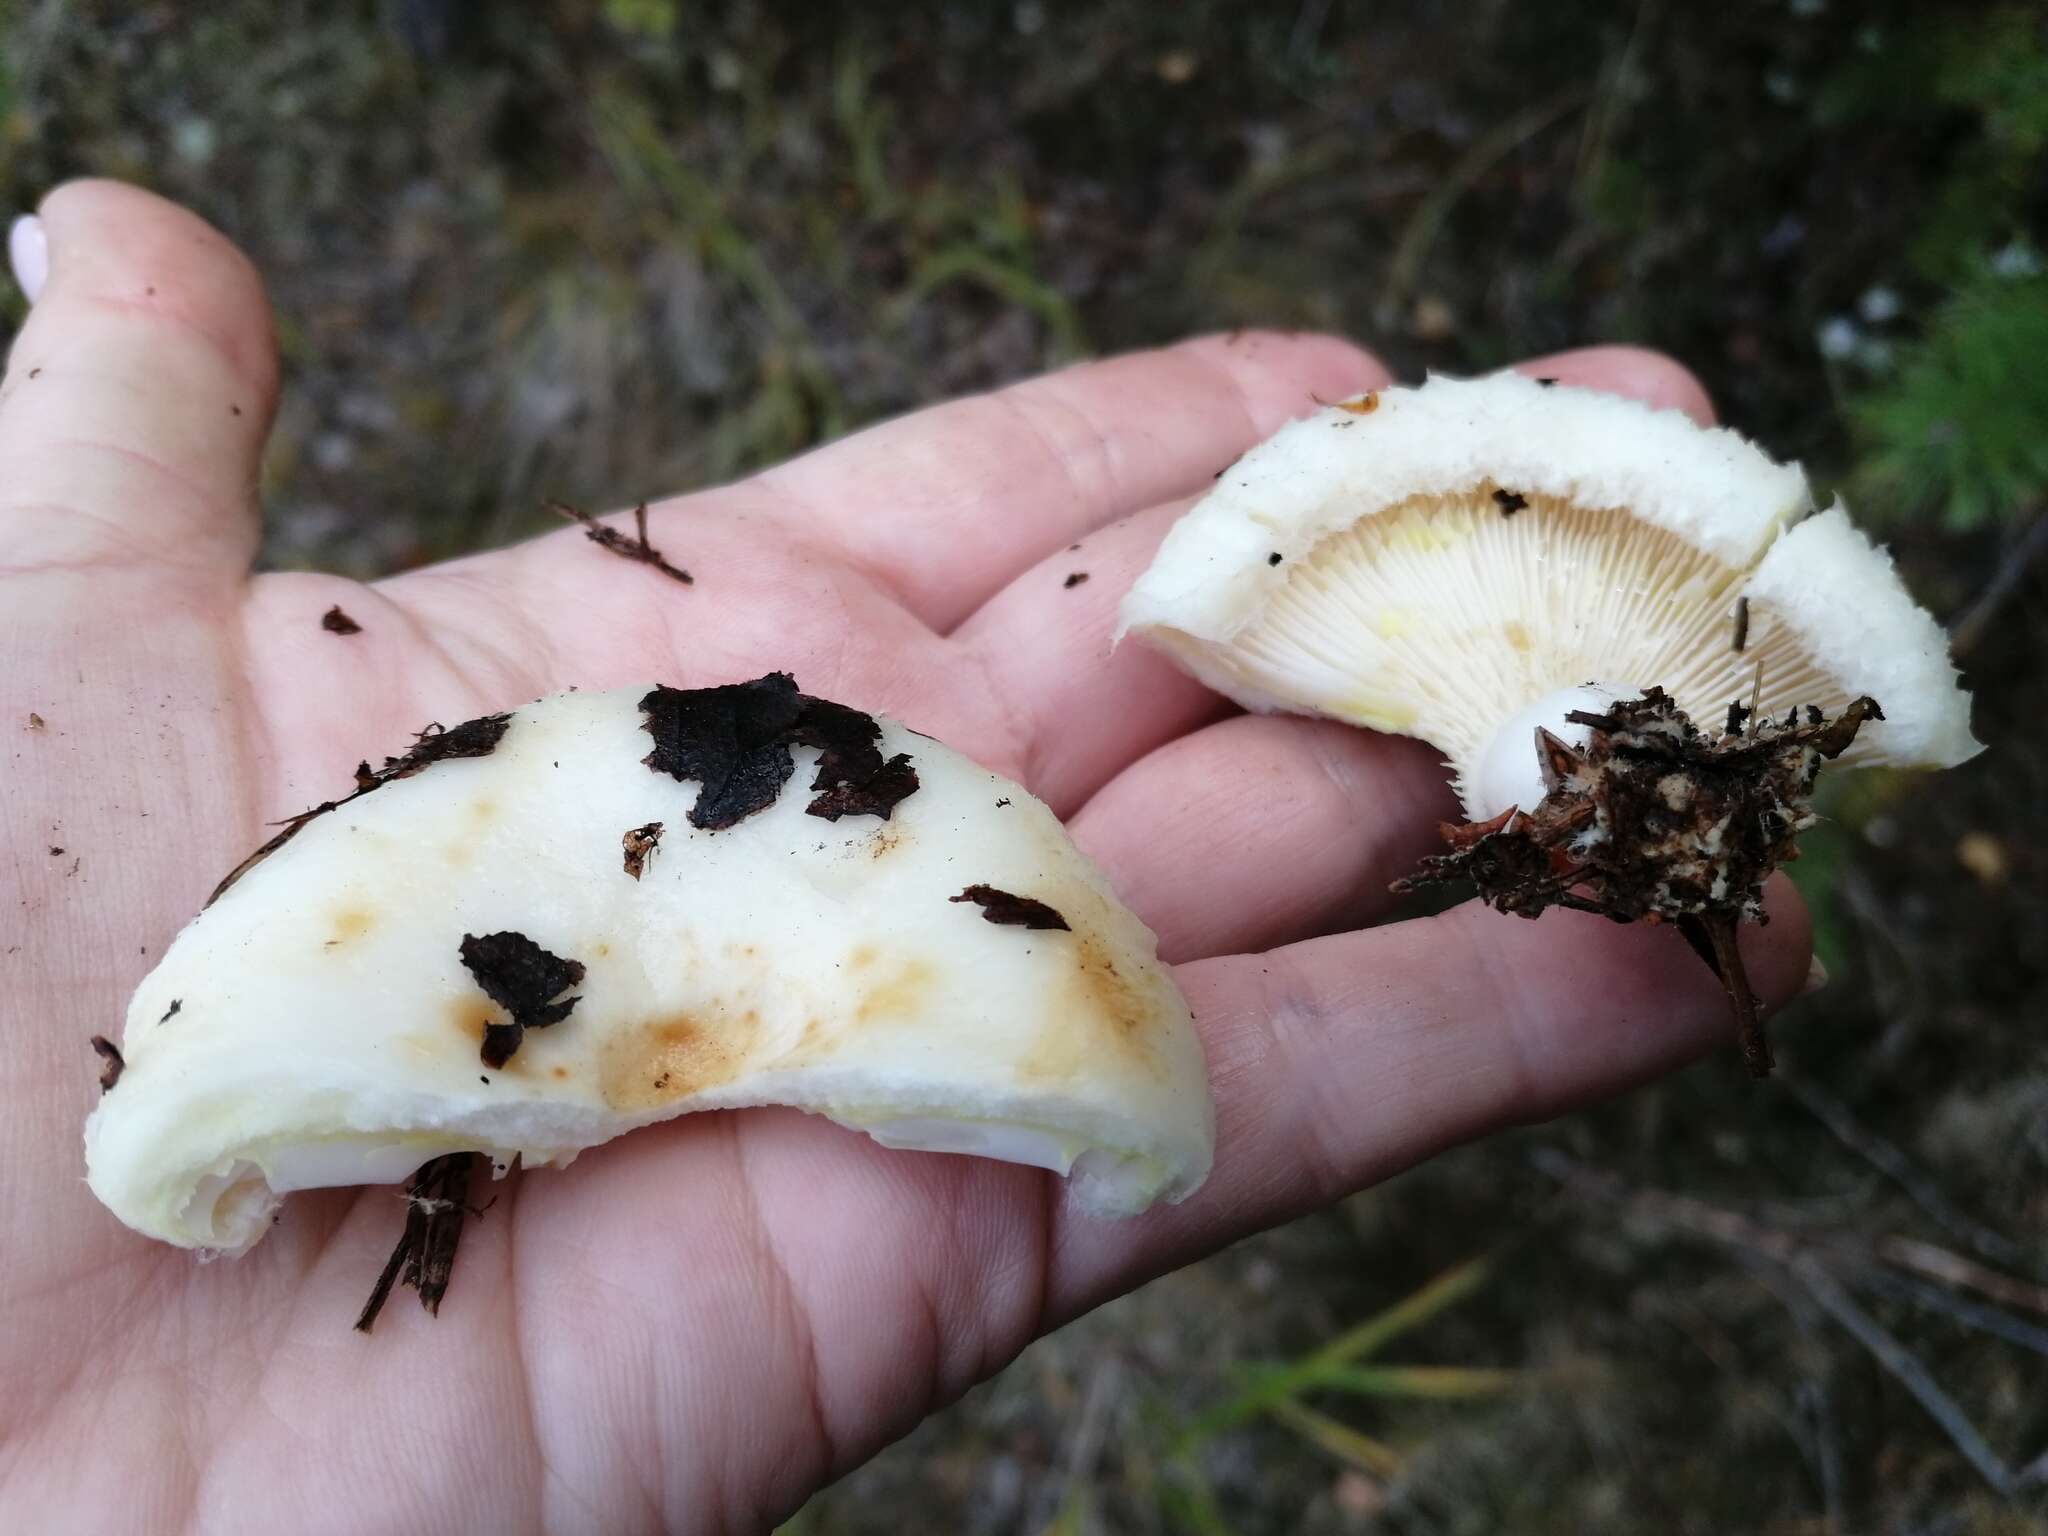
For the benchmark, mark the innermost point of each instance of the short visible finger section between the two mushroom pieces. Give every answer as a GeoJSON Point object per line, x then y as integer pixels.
{"type": "Point", "coordinates": [1263, 830]}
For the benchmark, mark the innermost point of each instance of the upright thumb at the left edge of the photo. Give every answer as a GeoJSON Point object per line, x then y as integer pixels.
{"type": "Point", "coordinates": [138, 392]}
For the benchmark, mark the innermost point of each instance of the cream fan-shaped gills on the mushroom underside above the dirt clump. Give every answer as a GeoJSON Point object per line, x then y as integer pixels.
{"type": "Point", "coordinates": [1443, 615]}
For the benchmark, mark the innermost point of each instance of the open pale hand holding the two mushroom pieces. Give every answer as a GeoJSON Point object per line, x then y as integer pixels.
{"type": "Point", "coordinates": [695, 1326]}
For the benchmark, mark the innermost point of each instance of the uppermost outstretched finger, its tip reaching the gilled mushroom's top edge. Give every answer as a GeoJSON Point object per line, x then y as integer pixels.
{"type": "Point", "coordinates": [949, 505]}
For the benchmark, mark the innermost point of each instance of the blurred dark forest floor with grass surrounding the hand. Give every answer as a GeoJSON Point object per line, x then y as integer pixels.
{"type": "Point", "coordinates": [617, 251]}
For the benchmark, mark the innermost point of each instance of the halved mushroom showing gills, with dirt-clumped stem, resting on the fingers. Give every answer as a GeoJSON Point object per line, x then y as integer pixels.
{"type": "Point", "coordinates": [1633, 638]}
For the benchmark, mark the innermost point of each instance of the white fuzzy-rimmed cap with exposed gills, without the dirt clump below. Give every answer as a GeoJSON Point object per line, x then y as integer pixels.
{"type": "Point", "coordinates": [1449, 560]}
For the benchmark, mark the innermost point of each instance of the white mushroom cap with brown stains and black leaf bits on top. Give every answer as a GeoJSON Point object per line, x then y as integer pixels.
{"type": "Point", "coordinates": [327, 1031]}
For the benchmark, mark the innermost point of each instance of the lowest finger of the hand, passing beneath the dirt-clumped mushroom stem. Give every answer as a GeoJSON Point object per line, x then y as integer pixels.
{"type": "Point", "coordinates": [1347, 1060]}
